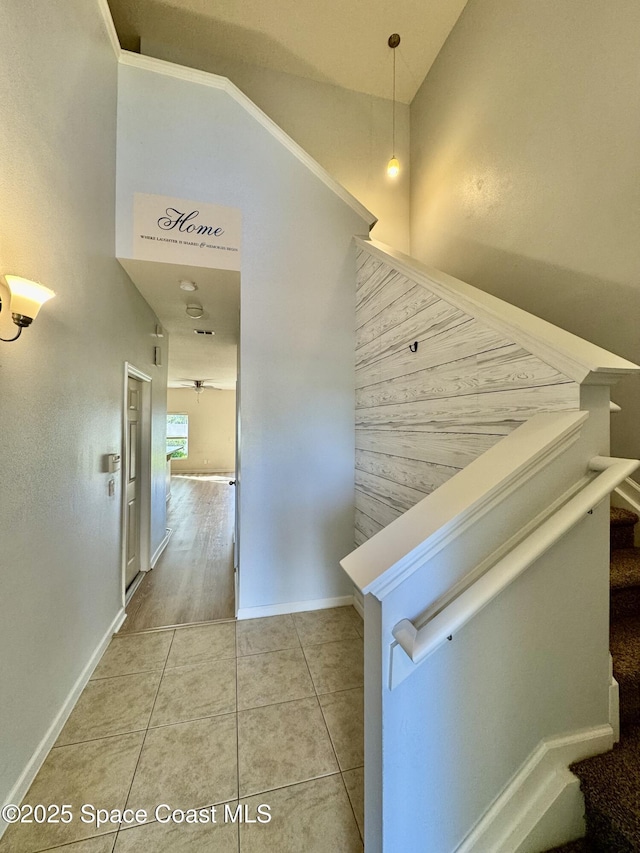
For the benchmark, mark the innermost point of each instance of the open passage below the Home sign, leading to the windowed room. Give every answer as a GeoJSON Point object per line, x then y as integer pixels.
{"type": "Point", "coordinates": [194, 579]}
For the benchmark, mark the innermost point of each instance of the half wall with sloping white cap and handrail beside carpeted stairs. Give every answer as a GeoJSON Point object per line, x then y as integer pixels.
{"type": "Point", "coordinates": [509, 559]}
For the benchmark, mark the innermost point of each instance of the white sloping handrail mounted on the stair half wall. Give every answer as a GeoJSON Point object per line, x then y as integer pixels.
{"type": "Point", "coordinates": [419, 643]}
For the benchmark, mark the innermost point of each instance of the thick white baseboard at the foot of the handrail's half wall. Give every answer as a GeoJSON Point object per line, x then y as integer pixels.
{"type": "Point", "coordinates": [542, 806]}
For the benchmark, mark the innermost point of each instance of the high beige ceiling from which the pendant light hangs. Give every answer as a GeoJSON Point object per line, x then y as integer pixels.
{"type": "Point", "coordinates": [333, 41]}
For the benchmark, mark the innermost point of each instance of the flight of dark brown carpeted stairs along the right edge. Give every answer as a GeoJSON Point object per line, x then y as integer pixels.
{"type": "Point", "coordinates": [611, 782]}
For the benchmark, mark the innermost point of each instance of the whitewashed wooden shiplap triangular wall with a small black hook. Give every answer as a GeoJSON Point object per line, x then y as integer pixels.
{"type": "Point", "coordinates": [421, 417]}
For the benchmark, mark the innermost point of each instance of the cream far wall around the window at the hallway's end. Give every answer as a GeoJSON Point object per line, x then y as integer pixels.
{"type": "Point", "coordinates": [212, 429]}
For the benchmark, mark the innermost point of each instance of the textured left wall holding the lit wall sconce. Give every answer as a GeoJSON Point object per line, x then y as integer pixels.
{"type": "Point", "coordinates": [61, 384]}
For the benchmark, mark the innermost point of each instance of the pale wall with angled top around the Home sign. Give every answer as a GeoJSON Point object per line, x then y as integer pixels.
{"type": "Point", "coordinates": [189, 140]}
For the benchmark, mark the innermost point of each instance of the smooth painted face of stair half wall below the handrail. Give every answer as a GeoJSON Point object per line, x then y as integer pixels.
{"type": "Point", "coordinates": [532, 665]}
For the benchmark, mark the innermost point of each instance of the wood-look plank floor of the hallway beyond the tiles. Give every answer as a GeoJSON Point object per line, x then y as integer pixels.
{"type": "Point", "coordinates": [193, 579]}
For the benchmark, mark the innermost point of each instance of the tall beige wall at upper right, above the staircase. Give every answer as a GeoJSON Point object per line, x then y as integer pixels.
{"type": "Point", "coordinates": [525, 169]}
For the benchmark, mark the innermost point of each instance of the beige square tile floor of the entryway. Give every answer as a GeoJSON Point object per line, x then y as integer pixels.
{"type": "Point", "coordinates": [261, 712]}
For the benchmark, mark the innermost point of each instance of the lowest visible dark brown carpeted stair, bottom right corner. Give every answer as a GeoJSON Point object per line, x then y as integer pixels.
{"type": "Point", "coordinates": [611, 787]}
